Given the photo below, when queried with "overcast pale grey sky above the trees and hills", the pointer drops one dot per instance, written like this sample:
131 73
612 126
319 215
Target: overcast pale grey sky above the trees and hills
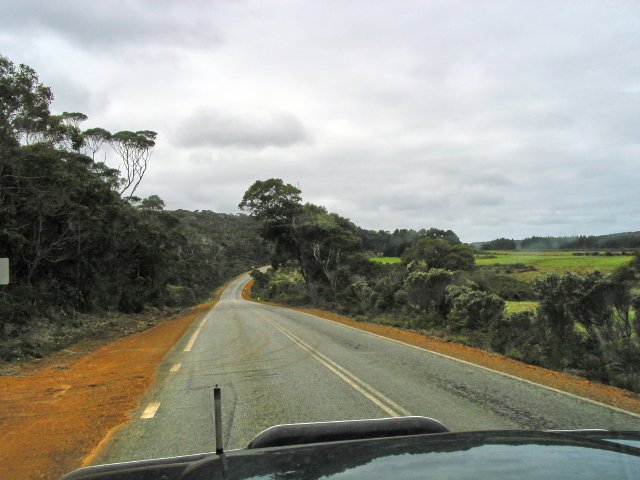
487 117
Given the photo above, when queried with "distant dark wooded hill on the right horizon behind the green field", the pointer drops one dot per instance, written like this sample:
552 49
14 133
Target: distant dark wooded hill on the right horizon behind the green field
582 242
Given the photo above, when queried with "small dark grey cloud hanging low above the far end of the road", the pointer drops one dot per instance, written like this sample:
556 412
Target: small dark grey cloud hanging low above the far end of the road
211 128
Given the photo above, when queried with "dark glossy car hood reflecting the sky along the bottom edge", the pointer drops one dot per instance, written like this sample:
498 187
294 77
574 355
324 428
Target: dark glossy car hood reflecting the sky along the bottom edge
473 455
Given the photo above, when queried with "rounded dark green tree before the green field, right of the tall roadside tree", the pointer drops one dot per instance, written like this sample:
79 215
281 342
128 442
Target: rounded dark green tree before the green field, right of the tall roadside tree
439 253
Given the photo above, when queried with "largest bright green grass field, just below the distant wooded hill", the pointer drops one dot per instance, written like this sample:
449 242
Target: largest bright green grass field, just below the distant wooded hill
551 261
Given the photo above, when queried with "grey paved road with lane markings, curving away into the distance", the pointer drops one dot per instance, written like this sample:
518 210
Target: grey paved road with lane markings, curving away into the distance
280 366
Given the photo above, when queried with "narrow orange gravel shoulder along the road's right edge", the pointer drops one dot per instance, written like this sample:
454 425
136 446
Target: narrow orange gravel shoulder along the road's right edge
613 396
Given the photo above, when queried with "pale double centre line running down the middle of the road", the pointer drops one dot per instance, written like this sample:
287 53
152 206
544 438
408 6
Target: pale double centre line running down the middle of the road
381 400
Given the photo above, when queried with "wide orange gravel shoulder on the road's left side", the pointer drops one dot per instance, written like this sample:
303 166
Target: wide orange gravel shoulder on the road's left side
54 417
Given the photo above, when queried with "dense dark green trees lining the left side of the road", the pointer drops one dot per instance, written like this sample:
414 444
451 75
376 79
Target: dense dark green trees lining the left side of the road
74 244
